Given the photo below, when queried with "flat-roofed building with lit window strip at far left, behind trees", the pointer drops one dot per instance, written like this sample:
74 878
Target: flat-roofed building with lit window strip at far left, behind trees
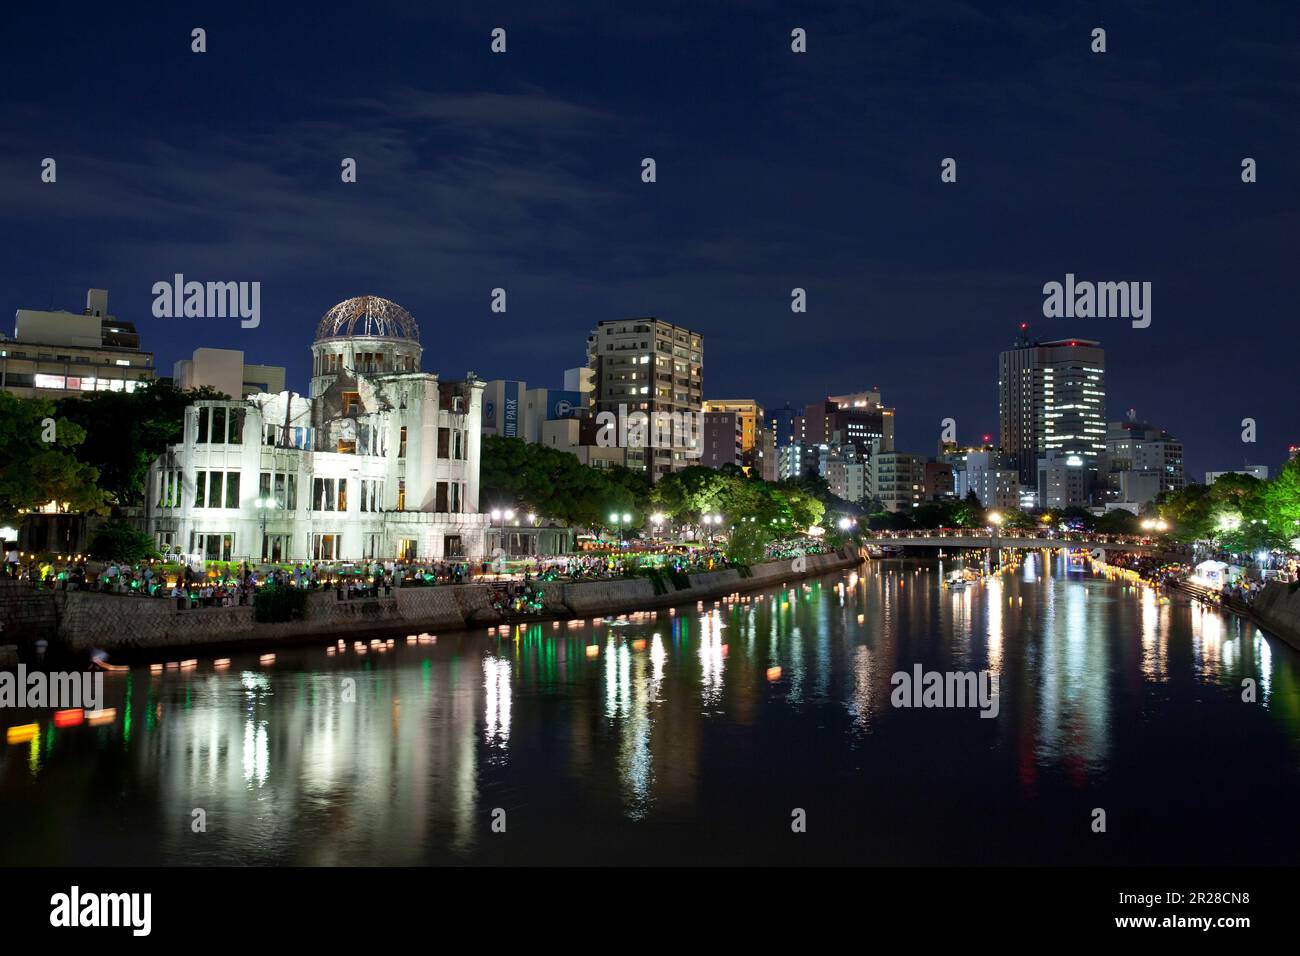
57 354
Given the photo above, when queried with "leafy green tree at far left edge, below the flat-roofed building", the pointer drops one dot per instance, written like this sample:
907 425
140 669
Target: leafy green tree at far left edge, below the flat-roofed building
36 471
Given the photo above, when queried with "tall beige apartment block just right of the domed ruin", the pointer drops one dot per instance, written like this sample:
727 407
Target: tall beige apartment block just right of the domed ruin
657 369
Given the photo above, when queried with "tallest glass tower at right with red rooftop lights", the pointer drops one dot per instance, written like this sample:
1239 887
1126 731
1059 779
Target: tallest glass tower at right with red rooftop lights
1052 397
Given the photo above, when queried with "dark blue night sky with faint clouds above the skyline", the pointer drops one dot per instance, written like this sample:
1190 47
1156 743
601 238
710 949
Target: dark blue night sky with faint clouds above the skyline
774 171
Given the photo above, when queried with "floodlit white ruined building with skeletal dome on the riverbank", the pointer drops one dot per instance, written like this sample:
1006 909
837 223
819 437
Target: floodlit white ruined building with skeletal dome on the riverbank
380 462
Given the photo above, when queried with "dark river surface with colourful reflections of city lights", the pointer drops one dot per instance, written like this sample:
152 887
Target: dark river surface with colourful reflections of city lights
665 721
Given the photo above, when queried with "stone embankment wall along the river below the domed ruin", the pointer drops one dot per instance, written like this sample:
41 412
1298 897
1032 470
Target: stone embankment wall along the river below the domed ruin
80 621
